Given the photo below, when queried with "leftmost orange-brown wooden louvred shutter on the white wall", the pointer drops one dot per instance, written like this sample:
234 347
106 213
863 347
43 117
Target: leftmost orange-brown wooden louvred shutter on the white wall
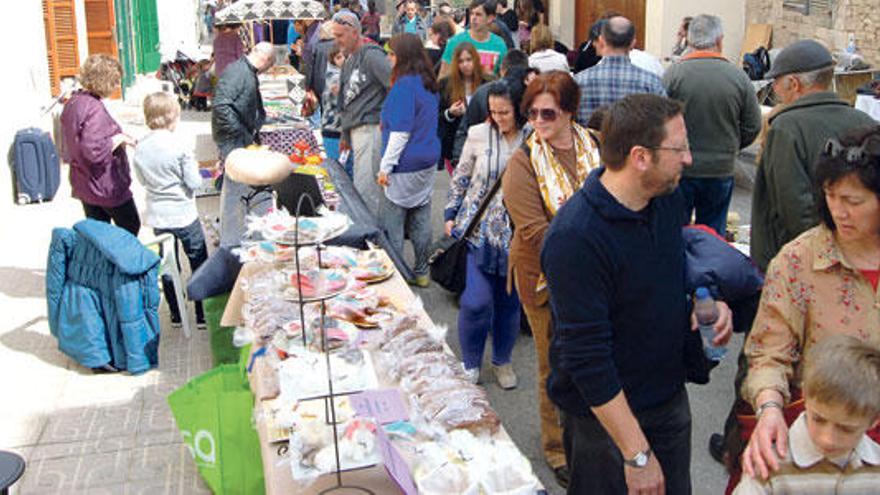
59 22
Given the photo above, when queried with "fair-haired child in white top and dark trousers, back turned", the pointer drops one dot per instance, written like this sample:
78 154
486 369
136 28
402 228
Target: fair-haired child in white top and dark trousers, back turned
170 174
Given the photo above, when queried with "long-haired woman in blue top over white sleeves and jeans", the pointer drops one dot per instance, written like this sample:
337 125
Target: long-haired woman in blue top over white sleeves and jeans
411 150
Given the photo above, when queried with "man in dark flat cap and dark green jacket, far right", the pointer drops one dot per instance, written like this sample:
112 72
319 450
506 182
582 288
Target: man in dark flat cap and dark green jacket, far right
783 201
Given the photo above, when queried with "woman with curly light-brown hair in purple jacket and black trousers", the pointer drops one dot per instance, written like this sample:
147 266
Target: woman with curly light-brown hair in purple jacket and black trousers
94 147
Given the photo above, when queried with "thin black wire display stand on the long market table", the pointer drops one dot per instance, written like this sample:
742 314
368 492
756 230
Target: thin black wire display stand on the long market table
329 399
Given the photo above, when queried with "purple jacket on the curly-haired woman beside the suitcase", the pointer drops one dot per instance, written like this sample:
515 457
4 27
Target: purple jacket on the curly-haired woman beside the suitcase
99 175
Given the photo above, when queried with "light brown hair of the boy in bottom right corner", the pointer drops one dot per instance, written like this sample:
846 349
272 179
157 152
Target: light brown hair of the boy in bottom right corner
844 370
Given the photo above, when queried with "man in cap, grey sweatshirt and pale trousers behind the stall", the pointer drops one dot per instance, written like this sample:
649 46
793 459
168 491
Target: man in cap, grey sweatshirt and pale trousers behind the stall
365 80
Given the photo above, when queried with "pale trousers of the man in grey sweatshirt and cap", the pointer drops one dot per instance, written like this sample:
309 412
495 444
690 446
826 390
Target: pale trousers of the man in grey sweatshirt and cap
366 148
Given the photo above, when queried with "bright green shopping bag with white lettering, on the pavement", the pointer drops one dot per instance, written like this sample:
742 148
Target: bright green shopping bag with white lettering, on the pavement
213 412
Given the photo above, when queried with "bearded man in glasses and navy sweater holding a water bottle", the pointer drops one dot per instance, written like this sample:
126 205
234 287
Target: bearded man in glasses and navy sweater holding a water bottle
614 261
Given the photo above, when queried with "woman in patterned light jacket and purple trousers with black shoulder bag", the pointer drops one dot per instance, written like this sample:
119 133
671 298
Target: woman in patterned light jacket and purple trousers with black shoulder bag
486 304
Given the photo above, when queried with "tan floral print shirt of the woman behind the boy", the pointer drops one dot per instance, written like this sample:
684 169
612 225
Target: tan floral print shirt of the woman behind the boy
811 291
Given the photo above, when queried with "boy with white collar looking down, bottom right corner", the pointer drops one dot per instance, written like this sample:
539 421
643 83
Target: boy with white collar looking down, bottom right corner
828 450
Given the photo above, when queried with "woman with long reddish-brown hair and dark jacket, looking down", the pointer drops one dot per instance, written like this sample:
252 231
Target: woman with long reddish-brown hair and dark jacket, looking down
456 88
